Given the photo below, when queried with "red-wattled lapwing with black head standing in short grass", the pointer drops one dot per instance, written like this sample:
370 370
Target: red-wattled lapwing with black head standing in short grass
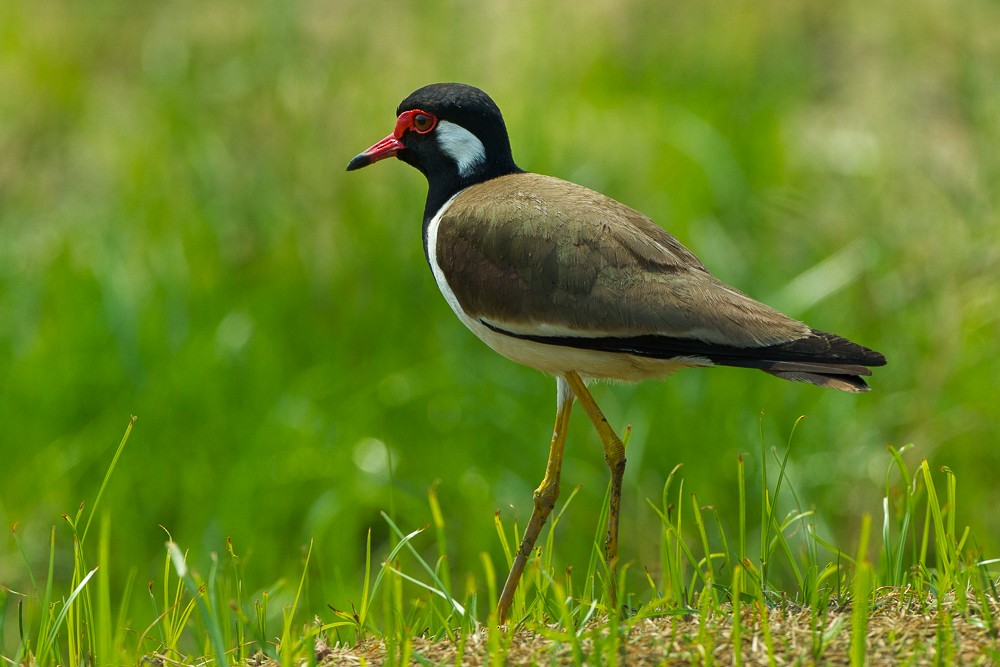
558 277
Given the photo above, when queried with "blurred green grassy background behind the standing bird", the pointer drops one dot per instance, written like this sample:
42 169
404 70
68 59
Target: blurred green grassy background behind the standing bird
179 241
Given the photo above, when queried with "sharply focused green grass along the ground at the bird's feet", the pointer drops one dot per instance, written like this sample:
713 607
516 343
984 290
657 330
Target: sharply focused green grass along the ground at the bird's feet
407 598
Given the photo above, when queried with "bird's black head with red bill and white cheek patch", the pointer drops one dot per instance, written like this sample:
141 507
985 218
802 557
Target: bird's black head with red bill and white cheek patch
453 133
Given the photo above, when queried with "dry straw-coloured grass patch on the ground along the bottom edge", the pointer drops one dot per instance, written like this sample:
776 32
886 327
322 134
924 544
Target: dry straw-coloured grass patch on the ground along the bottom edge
901 630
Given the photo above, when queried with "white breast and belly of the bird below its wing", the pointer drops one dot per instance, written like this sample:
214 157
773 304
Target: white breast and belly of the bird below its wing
552 359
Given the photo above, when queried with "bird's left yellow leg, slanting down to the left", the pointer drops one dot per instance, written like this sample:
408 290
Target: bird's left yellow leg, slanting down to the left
545 498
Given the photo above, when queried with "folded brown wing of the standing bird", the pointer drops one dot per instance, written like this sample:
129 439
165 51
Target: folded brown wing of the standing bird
539 256
